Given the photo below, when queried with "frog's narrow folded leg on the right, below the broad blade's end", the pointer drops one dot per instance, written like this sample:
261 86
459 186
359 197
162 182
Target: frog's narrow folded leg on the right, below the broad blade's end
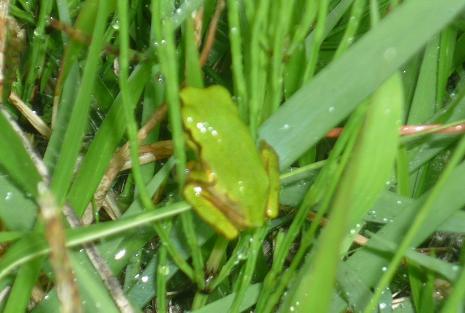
271 163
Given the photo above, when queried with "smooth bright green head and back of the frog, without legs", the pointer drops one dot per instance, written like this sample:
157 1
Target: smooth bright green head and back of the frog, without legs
232 153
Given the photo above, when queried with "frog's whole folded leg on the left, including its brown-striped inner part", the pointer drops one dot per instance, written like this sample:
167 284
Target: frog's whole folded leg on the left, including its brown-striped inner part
197 192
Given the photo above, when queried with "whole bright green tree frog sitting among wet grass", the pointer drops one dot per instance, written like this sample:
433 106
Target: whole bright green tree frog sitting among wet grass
232 185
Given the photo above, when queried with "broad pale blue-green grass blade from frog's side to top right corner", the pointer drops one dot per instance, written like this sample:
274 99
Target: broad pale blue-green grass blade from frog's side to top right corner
318 105
